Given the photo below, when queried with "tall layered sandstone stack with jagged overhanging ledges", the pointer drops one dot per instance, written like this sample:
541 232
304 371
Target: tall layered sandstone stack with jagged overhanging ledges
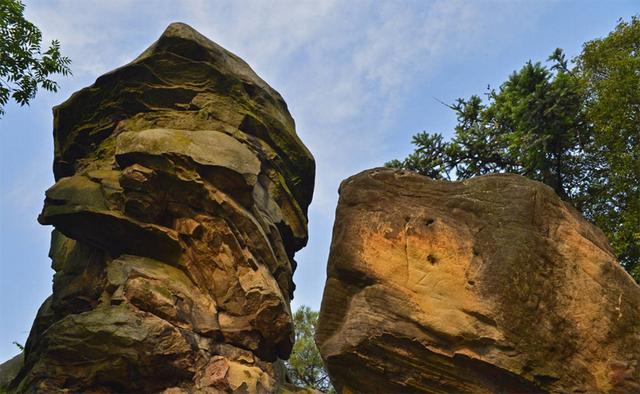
180 200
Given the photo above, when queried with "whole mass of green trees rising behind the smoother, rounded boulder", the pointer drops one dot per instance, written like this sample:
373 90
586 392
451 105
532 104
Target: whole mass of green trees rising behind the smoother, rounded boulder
575 129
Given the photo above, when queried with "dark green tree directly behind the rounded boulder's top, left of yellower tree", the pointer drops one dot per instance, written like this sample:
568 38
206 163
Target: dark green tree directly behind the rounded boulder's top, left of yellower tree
533 125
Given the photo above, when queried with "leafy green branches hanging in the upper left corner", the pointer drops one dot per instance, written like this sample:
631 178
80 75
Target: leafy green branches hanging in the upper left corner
23 65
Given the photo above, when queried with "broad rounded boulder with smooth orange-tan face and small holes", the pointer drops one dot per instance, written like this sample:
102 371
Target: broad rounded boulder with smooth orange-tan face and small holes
488 285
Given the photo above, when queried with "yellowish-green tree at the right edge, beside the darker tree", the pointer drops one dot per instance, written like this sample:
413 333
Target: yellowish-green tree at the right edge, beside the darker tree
610 69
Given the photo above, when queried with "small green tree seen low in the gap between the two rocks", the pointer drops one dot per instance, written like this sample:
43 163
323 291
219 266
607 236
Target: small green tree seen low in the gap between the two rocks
305 366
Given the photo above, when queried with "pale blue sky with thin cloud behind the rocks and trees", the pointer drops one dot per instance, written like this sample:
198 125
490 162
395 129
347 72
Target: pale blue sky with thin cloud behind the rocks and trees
360 77
